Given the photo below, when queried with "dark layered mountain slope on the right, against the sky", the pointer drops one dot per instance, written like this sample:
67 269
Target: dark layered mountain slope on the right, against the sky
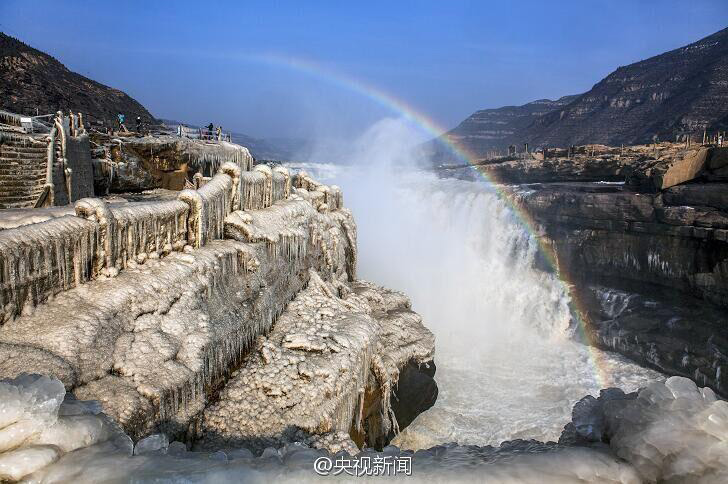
679 92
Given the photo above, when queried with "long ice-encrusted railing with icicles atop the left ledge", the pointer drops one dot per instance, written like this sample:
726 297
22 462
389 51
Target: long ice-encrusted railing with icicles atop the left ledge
40 260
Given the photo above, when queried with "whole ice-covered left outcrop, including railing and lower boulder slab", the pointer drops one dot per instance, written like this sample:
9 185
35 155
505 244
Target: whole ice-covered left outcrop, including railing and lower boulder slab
158 309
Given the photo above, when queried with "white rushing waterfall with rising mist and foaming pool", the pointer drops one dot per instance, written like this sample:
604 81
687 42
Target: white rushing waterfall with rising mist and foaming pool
506 366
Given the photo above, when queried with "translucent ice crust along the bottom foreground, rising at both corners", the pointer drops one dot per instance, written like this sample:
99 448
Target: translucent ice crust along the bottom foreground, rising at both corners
671 432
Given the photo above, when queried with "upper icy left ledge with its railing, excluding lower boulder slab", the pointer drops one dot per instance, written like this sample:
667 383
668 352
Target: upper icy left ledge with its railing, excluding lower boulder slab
155 340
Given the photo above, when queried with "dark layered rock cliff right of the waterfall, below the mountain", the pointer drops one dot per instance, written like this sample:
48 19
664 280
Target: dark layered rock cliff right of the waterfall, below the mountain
646 259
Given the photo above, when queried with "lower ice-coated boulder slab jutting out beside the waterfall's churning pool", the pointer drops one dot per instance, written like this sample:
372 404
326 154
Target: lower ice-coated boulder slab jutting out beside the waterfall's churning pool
310 374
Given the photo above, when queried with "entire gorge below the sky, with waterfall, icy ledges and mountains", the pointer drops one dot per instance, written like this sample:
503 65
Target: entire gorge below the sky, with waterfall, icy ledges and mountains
173 308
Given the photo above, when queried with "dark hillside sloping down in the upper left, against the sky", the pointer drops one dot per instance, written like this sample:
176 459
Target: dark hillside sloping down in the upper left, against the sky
31 79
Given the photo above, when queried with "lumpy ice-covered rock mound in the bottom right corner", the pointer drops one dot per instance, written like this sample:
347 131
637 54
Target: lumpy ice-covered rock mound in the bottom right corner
669 432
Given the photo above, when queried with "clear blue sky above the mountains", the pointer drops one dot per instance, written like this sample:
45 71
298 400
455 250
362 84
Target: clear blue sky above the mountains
200 61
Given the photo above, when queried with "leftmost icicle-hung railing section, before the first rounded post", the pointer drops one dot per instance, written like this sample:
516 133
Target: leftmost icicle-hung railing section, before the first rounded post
43 259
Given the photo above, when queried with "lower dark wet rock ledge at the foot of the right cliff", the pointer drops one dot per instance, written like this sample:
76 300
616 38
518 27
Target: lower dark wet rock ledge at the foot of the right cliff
663 329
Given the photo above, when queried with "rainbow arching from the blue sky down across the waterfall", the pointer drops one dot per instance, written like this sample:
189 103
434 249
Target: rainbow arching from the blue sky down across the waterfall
411 115
